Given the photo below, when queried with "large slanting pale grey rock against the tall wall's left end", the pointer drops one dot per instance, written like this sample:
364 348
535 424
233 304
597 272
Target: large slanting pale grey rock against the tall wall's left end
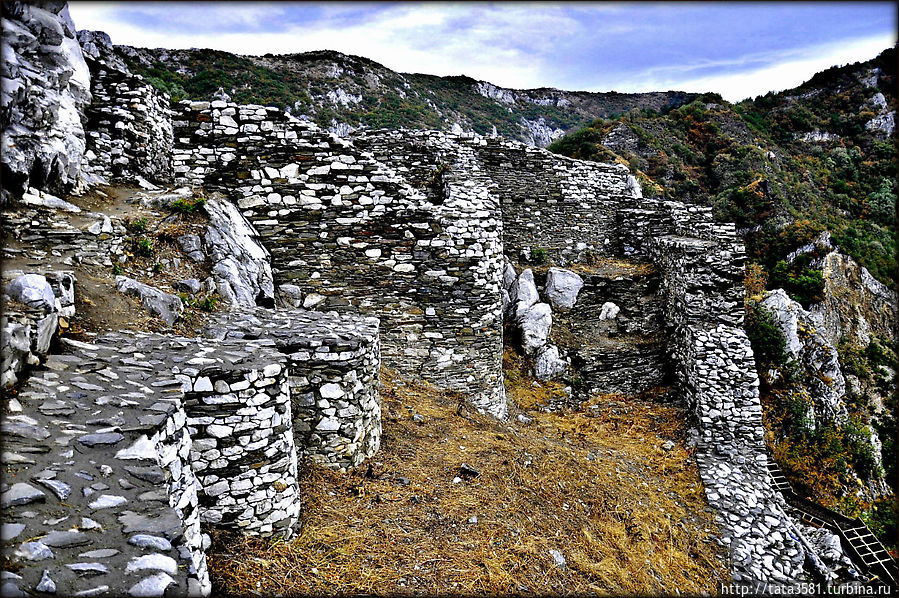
241 265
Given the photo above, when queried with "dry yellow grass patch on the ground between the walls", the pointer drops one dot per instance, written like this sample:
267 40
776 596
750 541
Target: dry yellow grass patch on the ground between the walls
593 484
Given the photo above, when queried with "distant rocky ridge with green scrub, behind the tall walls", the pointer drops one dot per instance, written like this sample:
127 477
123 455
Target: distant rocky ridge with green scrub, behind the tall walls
343 92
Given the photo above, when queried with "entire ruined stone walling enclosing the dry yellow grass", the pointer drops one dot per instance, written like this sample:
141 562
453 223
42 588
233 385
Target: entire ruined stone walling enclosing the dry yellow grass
415 228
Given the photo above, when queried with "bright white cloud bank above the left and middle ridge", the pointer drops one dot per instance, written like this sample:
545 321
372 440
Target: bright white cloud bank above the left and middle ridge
408 39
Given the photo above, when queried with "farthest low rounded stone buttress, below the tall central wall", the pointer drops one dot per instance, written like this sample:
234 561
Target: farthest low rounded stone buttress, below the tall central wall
334 363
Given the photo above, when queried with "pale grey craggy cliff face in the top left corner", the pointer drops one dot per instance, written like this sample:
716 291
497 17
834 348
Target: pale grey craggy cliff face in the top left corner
45 89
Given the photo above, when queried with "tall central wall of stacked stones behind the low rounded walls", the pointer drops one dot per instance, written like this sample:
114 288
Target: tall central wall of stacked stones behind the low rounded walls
351 234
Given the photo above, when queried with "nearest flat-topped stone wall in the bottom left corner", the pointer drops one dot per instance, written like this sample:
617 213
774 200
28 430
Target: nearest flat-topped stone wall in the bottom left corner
99 495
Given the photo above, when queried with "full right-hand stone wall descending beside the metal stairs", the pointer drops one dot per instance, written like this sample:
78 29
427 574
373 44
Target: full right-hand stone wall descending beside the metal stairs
701 264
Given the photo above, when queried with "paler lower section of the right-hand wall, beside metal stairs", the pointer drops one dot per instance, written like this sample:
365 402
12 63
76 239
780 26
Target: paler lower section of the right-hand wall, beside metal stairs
721 387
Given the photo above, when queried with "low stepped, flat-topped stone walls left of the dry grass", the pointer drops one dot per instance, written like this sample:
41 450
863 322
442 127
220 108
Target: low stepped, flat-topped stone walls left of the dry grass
116 451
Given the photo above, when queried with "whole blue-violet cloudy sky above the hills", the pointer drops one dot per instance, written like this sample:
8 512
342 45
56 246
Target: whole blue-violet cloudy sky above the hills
738 49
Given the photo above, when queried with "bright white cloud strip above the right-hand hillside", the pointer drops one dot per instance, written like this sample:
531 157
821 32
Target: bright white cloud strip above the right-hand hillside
777 75
